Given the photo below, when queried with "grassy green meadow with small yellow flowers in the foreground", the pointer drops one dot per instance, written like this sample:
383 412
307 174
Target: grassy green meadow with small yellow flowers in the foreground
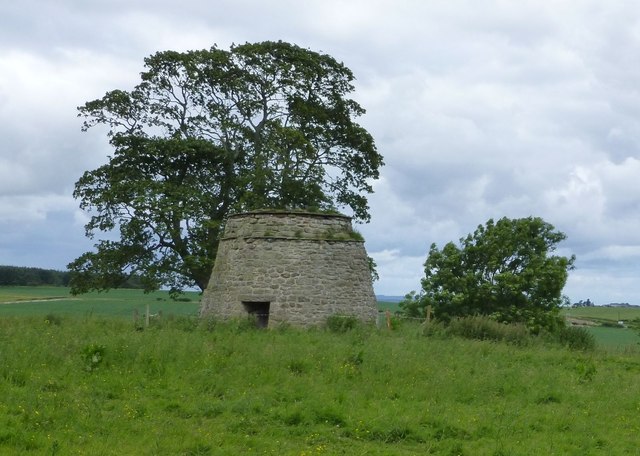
87 383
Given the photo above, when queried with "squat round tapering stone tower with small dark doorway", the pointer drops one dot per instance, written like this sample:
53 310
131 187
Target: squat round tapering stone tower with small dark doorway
294 267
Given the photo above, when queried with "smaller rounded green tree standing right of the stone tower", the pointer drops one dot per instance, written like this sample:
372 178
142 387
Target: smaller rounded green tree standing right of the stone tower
504 270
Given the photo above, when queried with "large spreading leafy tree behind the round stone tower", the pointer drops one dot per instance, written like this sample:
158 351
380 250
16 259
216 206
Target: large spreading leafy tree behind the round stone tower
208 133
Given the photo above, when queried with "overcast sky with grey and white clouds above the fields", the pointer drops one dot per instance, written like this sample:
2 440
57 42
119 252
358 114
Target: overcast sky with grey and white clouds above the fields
481 110
